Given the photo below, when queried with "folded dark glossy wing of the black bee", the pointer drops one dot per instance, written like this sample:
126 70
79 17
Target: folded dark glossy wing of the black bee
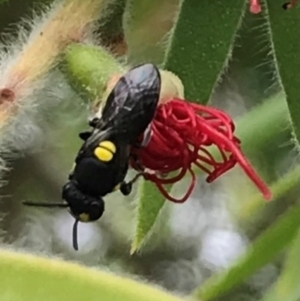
131 105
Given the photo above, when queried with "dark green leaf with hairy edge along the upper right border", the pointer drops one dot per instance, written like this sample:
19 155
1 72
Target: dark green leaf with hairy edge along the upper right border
285 32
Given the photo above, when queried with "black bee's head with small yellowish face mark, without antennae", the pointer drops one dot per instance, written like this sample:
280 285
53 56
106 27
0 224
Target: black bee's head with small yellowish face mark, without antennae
83 208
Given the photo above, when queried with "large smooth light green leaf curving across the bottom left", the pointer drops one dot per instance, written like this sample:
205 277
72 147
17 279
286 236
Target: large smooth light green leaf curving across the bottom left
27 277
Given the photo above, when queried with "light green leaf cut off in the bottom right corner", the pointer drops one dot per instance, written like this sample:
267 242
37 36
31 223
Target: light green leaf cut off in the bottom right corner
287 287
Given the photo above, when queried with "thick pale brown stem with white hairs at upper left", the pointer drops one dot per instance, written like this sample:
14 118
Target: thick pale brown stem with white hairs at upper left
25 68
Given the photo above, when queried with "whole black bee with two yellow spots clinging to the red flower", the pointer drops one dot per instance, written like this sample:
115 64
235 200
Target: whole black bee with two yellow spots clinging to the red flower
103 160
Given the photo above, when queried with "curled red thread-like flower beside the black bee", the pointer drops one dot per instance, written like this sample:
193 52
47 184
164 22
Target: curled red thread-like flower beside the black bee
179 137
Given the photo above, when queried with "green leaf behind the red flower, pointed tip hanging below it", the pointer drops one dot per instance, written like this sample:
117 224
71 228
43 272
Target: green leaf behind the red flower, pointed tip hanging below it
199 48
